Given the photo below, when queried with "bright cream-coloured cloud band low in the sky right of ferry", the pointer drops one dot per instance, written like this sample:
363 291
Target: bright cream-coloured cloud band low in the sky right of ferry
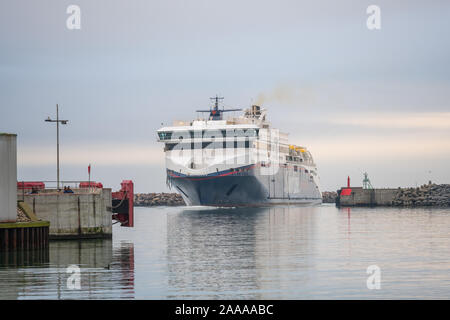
425 137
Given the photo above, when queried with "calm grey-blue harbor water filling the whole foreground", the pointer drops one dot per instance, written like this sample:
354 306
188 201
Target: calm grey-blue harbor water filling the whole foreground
319 252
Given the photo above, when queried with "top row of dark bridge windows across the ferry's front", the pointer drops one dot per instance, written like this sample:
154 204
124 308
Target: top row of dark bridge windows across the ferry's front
168 135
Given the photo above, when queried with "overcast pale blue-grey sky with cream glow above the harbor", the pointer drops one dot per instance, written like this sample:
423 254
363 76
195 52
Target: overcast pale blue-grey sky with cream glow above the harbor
360 100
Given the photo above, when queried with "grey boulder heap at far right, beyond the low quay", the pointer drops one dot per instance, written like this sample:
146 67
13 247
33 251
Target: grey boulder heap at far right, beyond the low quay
427 195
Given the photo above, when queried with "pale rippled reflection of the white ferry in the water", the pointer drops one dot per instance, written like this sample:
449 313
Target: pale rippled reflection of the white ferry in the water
220 252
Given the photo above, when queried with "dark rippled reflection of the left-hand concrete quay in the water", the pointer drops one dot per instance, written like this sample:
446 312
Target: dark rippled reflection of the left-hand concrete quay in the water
105 272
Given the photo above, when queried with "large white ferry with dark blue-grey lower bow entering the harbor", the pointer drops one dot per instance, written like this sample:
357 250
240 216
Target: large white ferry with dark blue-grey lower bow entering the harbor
239 161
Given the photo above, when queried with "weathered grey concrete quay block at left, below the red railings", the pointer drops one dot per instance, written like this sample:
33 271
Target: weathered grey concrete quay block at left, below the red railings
74 215
